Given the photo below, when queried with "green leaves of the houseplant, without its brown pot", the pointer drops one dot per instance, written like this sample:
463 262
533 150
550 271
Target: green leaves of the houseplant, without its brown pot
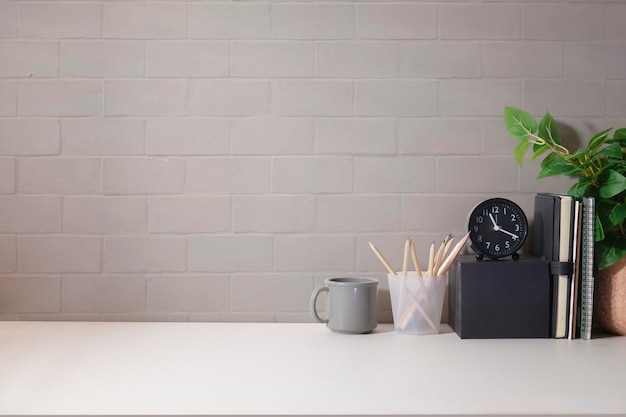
600 168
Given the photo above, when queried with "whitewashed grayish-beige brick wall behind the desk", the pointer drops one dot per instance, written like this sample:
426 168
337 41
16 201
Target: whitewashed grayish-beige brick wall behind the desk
174 160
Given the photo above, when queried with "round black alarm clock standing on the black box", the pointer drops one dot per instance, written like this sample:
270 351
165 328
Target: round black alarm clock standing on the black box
498 228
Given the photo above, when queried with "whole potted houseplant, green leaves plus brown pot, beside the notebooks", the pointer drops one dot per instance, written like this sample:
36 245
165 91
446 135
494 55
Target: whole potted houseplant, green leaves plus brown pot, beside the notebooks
600 169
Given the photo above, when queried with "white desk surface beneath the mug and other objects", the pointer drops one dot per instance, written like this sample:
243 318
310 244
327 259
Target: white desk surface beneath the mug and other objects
63 368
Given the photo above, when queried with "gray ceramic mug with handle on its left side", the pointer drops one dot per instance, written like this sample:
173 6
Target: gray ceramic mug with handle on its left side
351 306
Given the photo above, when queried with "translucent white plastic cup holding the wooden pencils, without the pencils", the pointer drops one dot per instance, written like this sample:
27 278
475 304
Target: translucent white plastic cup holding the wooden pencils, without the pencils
417 302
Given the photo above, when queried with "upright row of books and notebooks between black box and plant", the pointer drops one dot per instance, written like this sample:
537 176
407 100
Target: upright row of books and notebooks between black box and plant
564 235
